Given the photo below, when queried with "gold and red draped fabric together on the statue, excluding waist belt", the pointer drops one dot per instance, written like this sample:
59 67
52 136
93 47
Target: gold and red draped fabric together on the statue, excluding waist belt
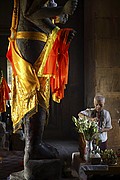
31 84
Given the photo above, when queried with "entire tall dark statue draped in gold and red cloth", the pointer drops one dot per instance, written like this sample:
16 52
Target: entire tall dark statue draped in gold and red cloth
36 51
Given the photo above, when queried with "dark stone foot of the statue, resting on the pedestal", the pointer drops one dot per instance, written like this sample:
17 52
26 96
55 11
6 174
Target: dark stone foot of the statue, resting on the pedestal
44 151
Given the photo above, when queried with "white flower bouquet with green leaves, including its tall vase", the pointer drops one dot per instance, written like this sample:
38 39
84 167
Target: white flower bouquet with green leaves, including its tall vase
88 131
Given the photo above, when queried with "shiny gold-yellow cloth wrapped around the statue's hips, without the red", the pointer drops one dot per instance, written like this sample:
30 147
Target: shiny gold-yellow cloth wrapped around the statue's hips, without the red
29 86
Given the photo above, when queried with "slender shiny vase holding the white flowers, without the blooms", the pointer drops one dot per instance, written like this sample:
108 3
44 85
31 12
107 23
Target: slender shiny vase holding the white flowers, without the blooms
89 148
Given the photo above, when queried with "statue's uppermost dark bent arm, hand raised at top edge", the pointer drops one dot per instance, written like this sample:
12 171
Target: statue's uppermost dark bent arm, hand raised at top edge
36 10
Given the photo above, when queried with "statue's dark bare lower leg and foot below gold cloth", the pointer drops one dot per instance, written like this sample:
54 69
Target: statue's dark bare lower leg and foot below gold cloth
35 148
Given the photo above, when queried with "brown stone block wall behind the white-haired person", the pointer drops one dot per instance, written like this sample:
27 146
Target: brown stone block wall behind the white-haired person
102 58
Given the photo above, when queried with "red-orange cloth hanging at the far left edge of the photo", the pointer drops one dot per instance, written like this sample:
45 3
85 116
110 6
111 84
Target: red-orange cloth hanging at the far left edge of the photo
4 94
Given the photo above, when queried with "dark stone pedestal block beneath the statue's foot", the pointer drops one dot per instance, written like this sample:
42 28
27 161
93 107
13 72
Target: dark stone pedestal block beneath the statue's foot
47 169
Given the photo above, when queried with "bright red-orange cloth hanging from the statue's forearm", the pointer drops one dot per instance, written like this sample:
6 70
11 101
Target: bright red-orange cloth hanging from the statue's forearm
57 64
